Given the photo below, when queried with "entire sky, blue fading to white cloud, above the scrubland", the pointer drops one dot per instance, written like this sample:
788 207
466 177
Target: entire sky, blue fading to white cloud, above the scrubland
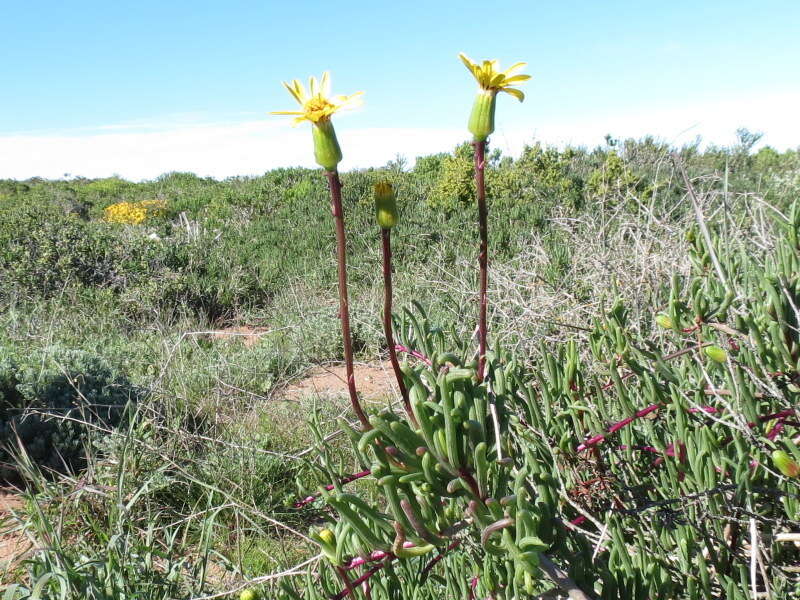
95 88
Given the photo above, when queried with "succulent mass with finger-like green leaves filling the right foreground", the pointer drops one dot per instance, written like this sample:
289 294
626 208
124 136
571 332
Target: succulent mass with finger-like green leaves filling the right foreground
657 466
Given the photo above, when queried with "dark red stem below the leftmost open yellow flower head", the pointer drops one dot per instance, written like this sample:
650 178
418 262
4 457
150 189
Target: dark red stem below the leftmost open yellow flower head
335 186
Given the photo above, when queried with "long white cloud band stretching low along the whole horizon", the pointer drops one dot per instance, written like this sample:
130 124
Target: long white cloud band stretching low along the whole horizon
144 151
